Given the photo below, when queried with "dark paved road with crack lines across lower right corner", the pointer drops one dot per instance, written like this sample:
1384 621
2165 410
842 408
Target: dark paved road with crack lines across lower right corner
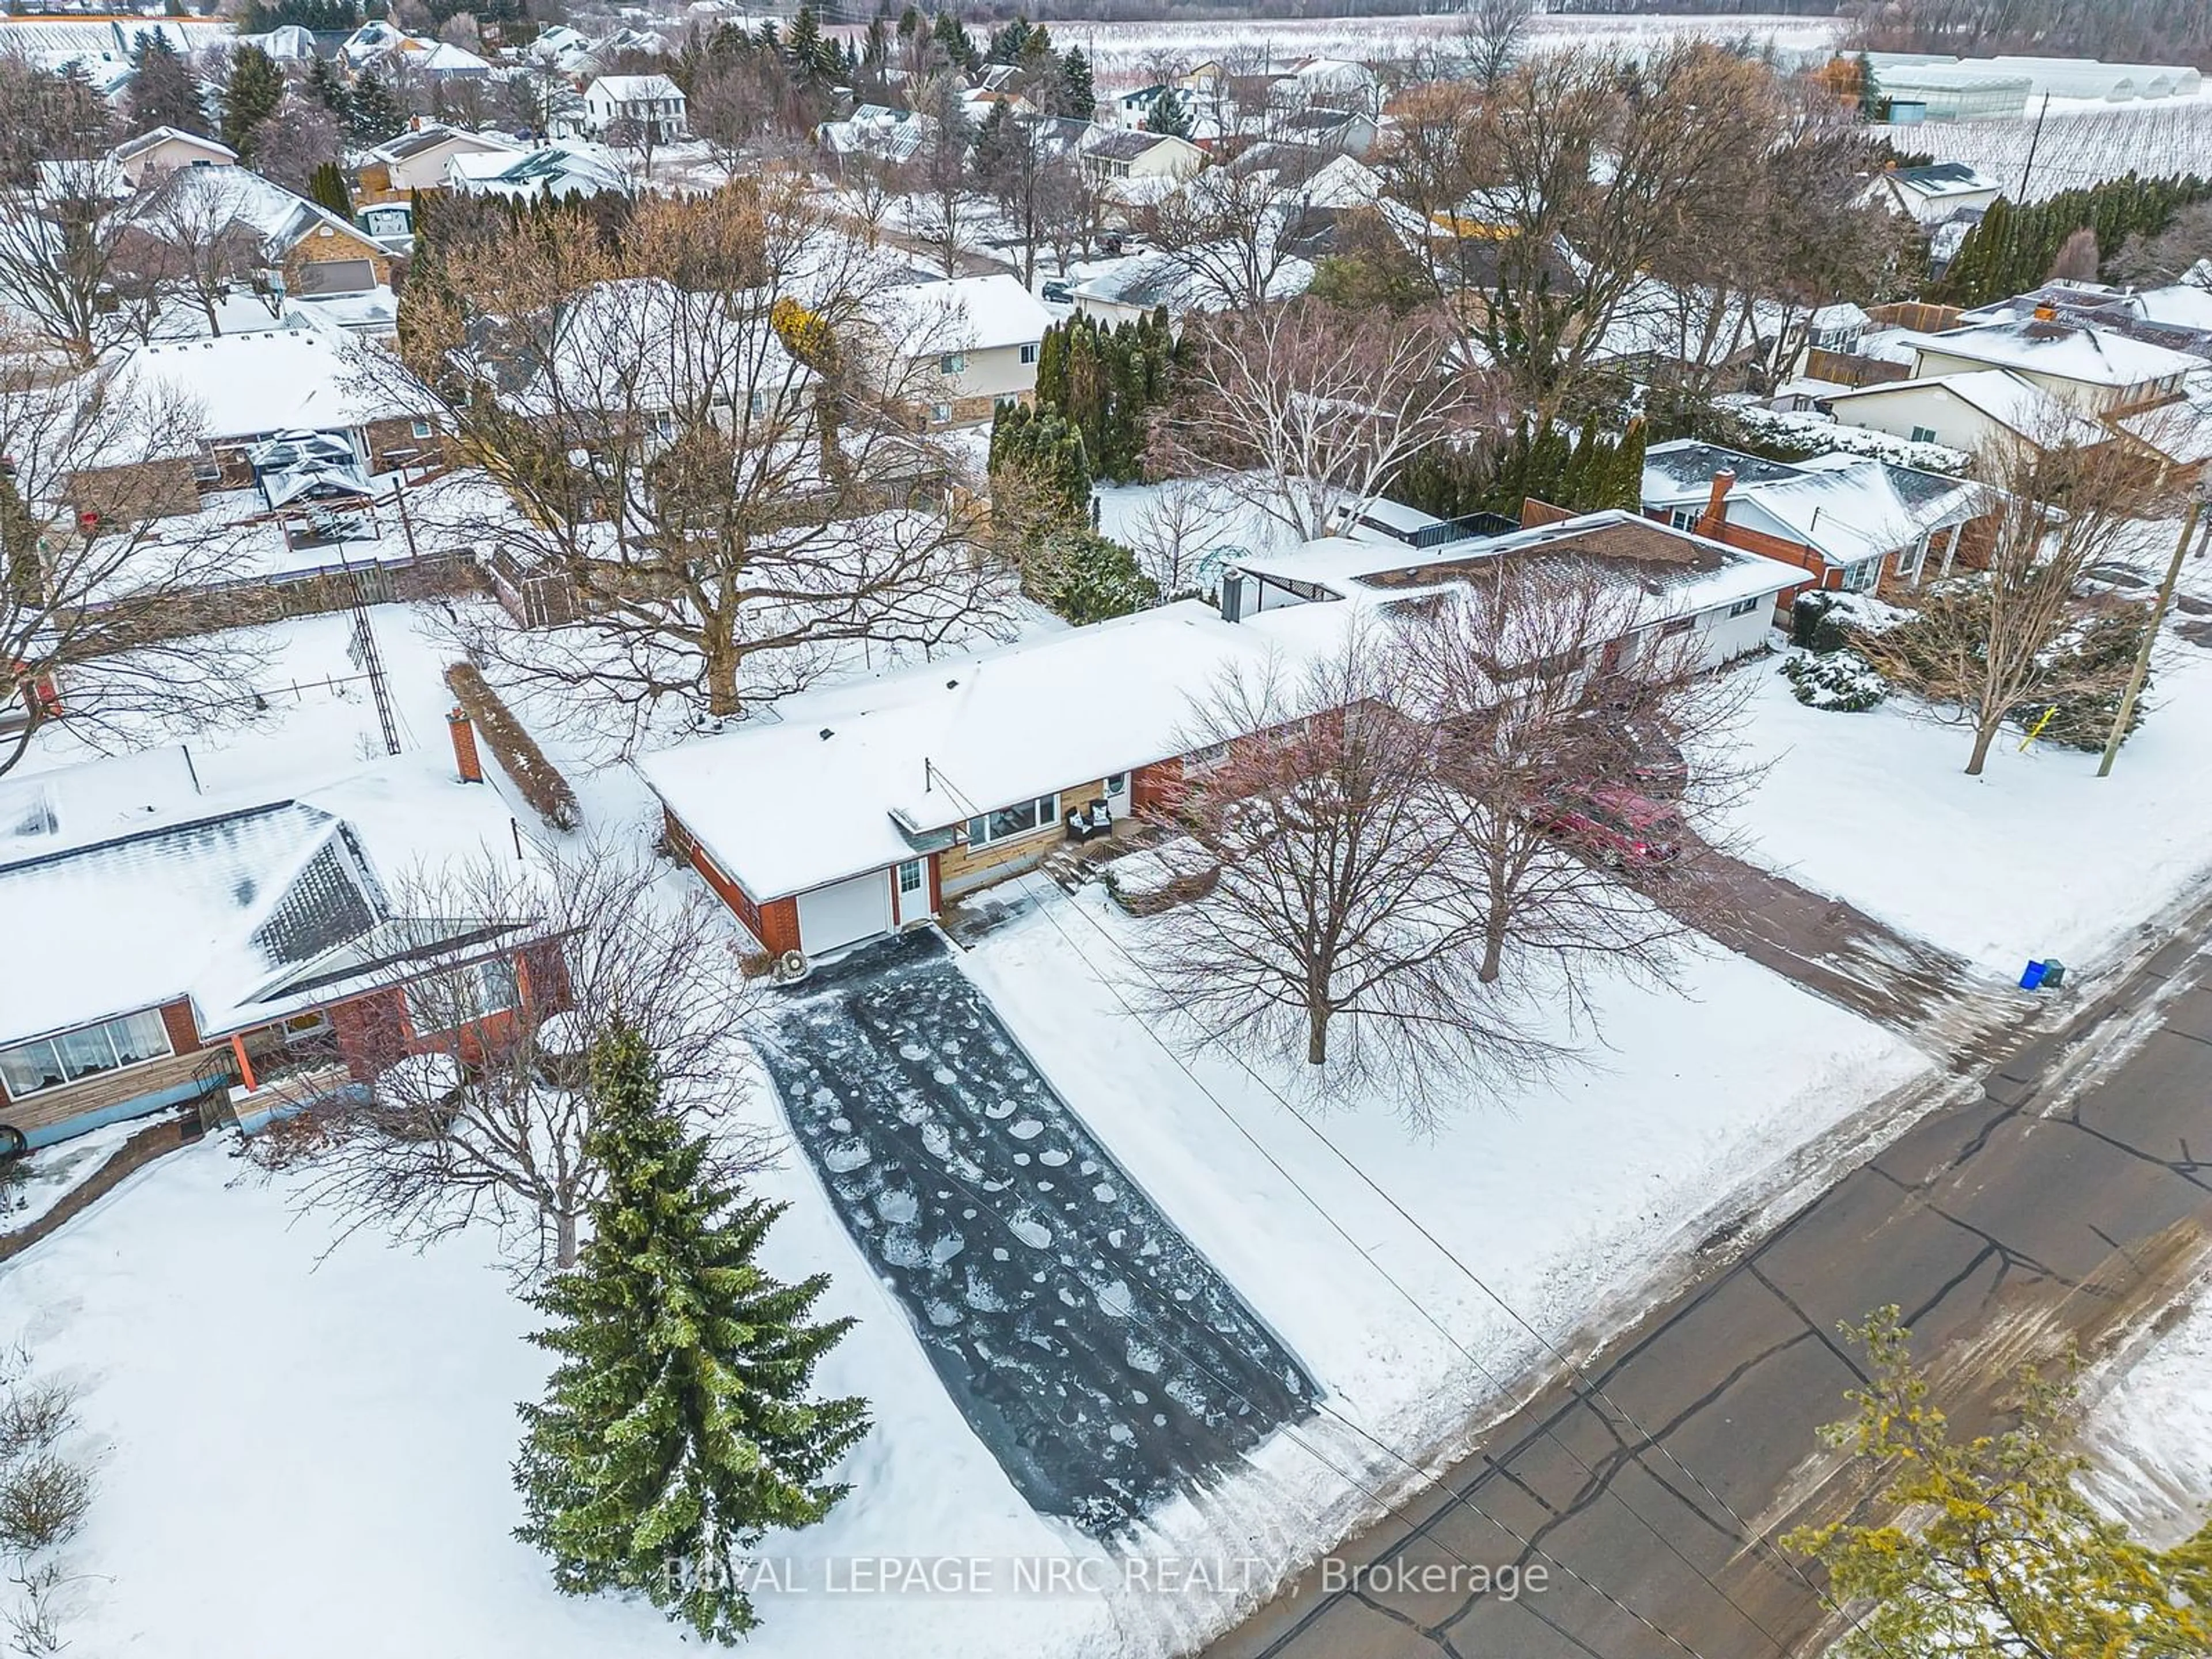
2041 1204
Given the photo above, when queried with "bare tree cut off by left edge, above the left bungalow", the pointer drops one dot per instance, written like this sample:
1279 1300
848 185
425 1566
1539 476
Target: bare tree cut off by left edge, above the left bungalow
96 567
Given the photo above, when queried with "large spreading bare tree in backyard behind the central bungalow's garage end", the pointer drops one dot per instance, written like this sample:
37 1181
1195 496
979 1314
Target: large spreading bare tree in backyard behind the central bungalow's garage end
709 432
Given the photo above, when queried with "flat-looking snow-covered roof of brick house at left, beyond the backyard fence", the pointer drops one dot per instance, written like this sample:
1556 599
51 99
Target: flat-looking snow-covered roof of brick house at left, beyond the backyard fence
247 386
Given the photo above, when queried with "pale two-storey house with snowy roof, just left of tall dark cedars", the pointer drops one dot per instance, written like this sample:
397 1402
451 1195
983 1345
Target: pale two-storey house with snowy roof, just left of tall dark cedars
979 340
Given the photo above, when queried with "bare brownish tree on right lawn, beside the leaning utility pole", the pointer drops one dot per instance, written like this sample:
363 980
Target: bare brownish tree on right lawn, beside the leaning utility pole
1992 645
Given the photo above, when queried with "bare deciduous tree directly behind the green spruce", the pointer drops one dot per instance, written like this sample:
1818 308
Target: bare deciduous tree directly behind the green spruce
492 1125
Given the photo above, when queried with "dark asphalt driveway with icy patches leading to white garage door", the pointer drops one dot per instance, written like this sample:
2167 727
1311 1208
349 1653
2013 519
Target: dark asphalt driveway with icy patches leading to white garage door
1098 1357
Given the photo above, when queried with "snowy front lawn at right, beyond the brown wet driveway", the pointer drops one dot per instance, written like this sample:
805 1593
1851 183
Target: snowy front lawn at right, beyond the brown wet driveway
2034 859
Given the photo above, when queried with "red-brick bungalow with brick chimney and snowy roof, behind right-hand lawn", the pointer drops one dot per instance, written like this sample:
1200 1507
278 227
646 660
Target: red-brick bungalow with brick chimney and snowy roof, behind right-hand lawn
1844 521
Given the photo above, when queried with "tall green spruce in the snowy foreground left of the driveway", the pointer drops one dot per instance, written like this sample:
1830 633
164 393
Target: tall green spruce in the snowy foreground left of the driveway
678 1426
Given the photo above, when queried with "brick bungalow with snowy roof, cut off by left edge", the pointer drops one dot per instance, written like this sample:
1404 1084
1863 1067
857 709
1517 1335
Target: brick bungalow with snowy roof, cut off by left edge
244 959
